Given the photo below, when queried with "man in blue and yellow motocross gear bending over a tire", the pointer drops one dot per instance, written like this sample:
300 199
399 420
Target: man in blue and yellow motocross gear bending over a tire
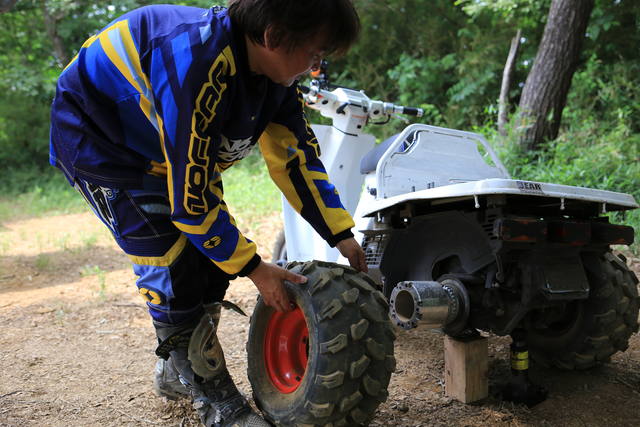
146 118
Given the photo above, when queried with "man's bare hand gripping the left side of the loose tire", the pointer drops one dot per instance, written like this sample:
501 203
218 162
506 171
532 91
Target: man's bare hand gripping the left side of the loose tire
269 279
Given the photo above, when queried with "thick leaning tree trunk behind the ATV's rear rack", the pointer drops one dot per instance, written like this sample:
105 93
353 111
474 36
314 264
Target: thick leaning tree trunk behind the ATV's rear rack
545 91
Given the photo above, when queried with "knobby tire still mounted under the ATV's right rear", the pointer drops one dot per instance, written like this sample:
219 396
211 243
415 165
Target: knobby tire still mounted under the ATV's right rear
592 330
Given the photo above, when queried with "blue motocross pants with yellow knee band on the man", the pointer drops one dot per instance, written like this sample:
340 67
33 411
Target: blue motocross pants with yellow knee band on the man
174 277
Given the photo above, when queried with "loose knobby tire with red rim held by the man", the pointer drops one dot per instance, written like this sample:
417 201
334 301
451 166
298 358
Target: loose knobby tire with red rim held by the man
329 361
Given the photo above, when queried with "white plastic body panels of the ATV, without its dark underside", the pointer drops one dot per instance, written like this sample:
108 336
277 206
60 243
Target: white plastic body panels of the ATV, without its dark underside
422 164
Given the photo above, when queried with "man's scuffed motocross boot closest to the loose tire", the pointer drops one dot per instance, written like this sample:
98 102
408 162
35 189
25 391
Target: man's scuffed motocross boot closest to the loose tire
197 357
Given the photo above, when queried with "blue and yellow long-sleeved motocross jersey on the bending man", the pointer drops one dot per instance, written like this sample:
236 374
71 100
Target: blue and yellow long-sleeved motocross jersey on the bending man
165 94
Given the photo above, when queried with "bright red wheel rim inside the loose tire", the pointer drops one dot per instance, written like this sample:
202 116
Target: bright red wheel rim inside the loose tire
286 349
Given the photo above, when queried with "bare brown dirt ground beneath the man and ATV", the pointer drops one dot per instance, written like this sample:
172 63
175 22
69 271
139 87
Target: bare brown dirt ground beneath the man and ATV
76 347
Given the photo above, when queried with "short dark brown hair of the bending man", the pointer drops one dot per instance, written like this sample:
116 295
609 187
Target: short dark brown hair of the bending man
294 22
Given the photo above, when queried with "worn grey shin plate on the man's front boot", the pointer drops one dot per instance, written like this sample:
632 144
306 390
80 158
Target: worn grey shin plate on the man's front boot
205 352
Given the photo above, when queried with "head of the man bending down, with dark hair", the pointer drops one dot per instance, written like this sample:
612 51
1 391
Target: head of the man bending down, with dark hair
290 37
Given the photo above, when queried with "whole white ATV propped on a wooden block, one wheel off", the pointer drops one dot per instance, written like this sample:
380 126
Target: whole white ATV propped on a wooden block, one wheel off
456 244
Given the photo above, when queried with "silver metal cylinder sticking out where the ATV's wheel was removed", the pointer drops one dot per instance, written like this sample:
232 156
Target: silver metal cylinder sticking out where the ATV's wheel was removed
434 305
